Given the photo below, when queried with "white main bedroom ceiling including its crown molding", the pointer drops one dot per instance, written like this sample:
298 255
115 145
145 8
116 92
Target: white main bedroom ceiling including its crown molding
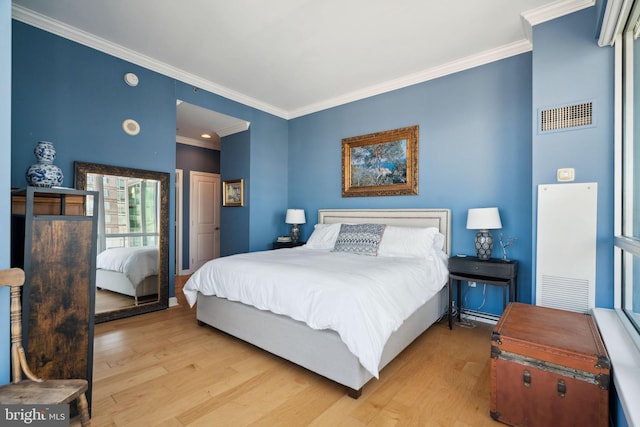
294 57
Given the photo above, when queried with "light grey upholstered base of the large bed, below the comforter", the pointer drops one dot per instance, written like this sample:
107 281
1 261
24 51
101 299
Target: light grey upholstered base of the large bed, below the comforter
321 351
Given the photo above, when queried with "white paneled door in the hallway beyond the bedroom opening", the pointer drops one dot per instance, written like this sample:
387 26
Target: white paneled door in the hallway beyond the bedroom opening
204 235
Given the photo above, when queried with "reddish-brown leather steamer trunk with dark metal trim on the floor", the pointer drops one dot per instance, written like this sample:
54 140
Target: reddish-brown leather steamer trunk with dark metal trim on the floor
548 367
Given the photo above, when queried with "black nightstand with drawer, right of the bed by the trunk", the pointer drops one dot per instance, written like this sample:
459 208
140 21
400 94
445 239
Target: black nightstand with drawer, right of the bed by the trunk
493 271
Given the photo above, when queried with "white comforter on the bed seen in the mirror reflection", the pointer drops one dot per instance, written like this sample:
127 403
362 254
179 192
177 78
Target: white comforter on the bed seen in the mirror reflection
135 263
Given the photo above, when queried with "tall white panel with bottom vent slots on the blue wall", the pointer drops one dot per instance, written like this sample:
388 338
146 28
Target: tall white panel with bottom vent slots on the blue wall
566 246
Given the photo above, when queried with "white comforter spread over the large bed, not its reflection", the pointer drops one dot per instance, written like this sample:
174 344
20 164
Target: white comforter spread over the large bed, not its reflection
363 298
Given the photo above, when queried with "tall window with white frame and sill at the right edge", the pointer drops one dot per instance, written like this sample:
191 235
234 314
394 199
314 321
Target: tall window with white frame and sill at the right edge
620 327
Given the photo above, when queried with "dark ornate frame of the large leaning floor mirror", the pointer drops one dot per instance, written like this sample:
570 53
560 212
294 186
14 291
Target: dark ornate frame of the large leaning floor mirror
81 169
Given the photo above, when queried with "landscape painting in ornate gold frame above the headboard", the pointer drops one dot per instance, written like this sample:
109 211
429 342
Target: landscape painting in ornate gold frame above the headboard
381 164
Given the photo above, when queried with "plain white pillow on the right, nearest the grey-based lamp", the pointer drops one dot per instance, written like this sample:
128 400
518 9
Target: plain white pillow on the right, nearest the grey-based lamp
410 241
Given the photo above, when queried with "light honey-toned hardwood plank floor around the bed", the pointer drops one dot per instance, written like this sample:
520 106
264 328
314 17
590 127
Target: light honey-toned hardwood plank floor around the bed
162 369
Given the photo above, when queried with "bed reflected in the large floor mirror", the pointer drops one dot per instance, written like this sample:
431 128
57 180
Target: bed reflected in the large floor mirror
128 271
